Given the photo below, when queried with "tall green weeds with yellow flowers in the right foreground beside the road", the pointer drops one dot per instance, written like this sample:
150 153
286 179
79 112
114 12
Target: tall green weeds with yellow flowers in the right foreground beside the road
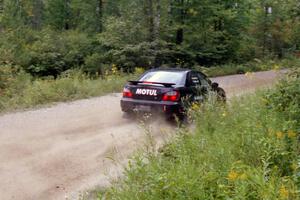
249 149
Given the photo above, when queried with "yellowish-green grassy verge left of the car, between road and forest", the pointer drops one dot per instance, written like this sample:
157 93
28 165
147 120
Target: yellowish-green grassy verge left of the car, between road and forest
20 90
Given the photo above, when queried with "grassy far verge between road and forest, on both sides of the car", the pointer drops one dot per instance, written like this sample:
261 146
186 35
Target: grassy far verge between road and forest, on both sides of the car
18 90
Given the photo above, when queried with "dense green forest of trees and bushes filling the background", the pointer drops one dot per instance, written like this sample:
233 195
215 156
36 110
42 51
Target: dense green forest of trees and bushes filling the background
49 37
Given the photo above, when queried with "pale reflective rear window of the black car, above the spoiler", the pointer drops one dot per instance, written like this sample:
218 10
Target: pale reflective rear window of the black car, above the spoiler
164 77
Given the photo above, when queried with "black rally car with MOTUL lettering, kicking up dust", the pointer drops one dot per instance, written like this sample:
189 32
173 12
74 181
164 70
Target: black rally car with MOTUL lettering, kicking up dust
163 91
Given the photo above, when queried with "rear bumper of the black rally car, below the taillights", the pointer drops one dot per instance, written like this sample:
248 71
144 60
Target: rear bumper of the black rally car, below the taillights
161 107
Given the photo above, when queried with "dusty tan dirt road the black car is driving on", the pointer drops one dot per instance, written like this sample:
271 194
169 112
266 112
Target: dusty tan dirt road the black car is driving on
53 152
